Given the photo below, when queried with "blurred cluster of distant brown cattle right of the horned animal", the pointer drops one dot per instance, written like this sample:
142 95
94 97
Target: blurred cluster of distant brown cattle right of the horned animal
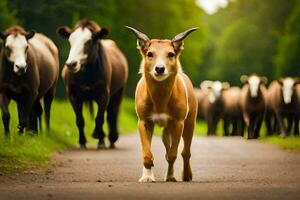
278 105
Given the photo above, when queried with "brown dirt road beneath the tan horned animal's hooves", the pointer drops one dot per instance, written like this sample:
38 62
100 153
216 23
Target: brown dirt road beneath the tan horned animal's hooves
223 168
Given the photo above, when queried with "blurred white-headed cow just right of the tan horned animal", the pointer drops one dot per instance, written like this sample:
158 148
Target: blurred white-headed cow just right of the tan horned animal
212 104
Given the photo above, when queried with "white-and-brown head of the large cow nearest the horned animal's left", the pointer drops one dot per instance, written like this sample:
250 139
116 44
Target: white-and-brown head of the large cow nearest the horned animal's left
83 39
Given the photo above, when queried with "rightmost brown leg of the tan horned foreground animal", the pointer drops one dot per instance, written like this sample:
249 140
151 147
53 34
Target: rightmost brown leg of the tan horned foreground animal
187 136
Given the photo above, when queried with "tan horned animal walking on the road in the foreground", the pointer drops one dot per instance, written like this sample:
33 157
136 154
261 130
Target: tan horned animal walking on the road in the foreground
164 96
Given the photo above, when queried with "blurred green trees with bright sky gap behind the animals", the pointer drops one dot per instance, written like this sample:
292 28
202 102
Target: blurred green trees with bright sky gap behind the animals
235 37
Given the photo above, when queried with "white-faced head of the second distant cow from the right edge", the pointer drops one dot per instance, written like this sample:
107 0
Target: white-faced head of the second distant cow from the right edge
254 81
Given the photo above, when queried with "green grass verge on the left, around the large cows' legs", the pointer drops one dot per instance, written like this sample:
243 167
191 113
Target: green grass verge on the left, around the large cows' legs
18 153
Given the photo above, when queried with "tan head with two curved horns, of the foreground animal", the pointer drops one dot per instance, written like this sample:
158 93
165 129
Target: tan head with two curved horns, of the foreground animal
160 57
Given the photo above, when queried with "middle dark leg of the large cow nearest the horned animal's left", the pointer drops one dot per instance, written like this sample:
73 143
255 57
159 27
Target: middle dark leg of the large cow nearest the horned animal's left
98 131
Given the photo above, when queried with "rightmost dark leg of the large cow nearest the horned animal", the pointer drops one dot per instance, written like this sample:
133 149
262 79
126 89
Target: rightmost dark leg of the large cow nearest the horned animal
112 117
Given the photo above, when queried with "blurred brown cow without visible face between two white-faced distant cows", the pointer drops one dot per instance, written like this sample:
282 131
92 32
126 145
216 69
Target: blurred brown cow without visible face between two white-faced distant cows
232 113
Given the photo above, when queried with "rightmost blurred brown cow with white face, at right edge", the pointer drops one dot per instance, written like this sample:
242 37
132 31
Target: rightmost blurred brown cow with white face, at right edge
284 103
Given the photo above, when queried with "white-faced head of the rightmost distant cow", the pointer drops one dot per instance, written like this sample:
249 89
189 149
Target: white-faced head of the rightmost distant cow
288 87
